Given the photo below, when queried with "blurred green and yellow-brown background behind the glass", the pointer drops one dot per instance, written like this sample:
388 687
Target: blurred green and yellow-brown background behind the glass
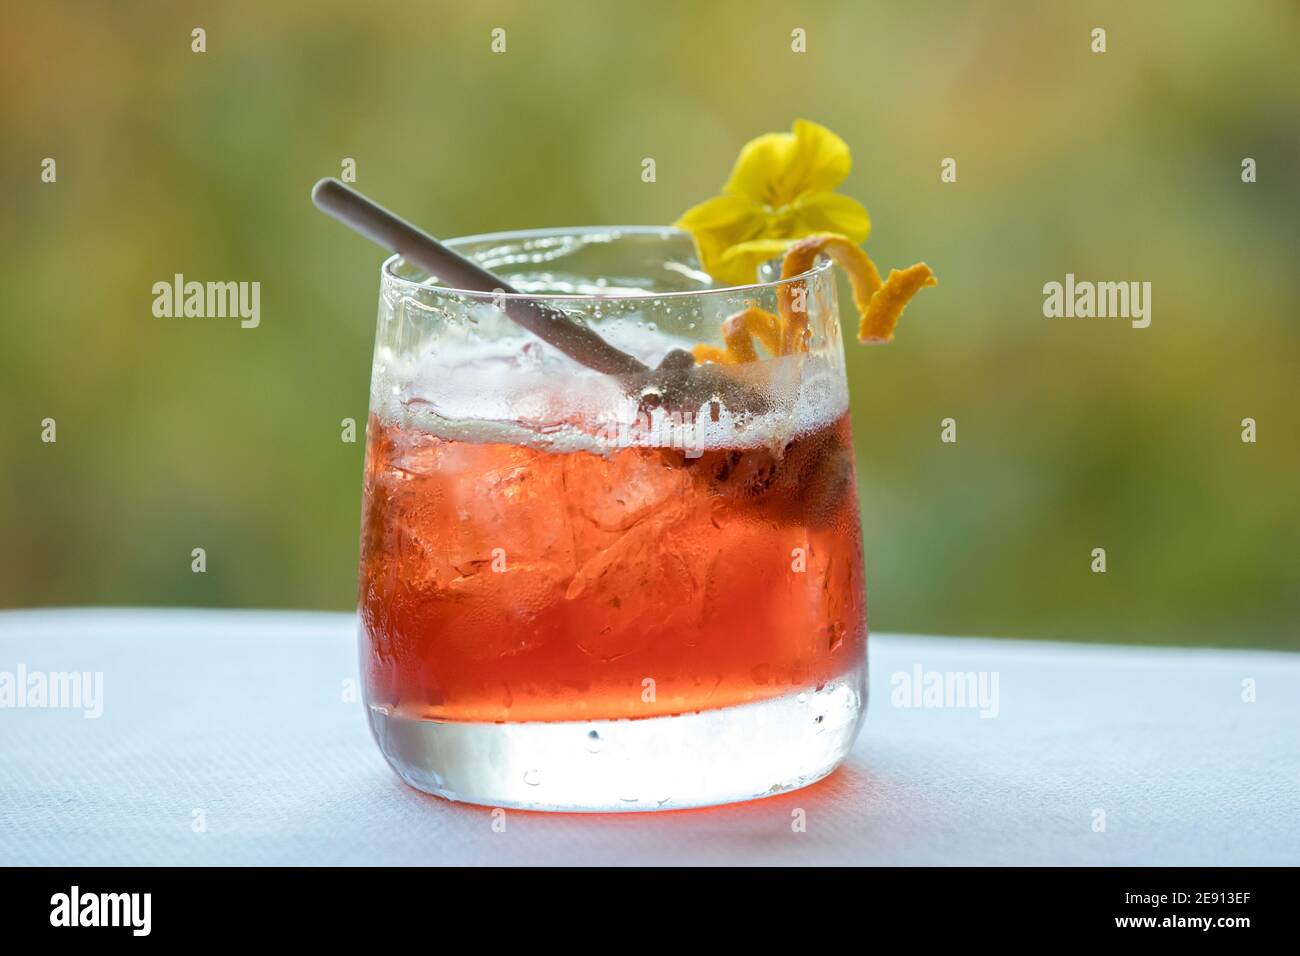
1072 434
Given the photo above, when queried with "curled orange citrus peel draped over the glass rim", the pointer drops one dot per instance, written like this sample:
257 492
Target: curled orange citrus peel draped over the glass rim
879 305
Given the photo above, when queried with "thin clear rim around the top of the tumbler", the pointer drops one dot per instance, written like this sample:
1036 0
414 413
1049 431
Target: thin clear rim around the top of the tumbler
387 271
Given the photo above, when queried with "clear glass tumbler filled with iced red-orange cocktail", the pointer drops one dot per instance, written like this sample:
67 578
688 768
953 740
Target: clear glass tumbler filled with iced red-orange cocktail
583 591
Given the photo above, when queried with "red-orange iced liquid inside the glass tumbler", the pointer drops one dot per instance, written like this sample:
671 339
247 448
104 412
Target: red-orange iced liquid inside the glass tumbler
508 583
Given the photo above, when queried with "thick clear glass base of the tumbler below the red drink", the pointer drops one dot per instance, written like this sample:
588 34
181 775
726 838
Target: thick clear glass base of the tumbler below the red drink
655 764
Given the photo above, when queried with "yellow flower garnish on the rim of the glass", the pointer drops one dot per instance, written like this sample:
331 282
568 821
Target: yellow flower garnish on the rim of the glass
782 189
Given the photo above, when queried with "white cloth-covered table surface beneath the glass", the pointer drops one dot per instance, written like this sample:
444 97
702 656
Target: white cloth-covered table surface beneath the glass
241 715
